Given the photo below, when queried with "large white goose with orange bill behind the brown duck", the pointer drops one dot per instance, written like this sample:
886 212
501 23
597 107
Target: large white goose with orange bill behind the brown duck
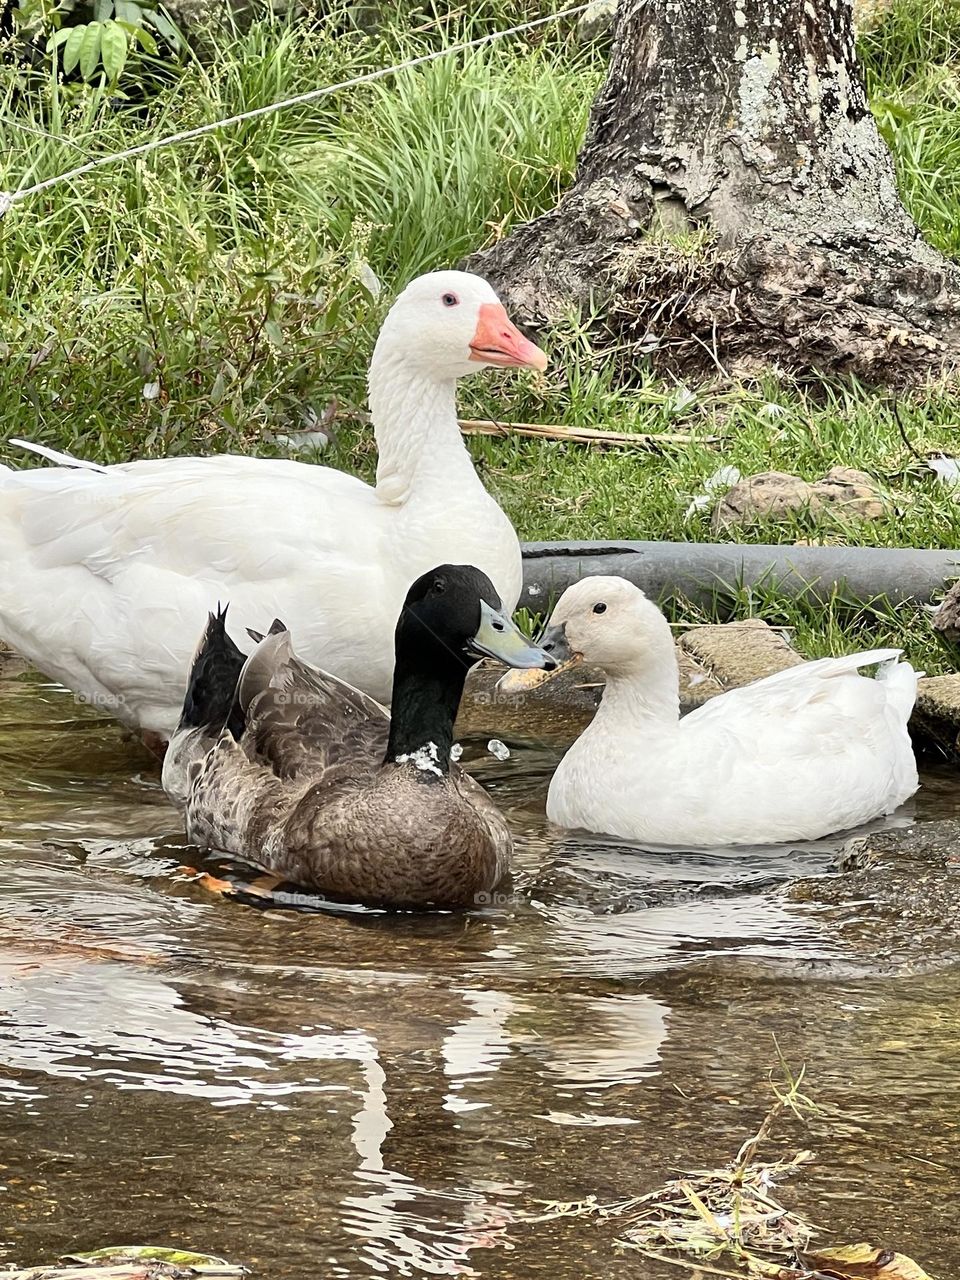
109 572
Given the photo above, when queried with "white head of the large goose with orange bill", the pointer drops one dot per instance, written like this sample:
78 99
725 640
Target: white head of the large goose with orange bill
449 324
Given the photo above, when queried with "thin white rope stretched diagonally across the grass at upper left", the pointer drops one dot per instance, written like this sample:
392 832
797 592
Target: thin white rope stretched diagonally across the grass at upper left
8 199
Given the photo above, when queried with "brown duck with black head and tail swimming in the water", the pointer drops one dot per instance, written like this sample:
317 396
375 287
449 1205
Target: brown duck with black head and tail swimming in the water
296 772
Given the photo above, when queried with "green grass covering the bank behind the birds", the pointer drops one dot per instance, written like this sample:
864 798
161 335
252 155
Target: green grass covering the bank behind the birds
231 272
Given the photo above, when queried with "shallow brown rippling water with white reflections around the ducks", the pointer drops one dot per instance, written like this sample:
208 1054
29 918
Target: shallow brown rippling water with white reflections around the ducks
355 1095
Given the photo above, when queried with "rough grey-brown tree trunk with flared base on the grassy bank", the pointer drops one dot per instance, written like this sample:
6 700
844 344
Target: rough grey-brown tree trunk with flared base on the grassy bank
735 205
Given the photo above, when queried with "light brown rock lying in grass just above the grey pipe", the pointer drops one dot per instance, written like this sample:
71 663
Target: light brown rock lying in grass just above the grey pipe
775 493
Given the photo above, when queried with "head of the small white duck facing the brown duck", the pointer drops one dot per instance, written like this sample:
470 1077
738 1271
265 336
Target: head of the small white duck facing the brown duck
607 623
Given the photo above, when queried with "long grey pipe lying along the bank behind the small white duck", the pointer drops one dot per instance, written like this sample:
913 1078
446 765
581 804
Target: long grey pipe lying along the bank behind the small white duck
710 574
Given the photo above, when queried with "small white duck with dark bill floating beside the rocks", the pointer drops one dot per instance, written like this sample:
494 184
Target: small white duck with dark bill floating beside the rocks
808 752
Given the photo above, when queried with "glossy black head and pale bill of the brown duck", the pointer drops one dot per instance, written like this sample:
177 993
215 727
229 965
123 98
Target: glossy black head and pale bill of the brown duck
455 615
